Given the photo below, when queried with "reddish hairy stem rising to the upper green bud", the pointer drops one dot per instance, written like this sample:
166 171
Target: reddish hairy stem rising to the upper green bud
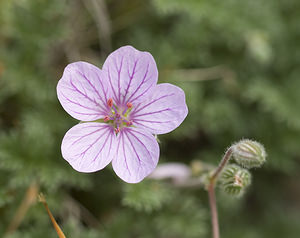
211 193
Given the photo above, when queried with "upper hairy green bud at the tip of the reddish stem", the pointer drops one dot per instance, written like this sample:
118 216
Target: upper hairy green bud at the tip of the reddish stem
249 154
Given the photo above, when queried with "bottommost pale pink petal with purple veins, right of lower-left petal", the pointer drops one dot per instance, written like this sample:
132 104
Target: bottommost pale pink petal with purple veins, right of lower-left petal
137 154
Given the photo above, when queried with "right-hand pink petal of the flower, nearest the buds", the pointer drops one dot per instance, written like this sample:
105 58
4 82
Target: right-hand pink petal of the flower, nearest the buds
163 111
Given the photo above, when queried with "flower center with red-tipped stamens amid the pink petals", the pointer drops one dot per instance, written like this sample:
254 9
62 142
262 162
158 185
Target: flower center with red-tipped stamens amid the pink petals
118 117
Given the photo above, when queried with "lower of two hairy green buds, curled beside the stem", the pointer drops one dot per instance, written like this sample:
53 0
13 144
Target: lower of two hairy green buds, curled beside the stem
235 179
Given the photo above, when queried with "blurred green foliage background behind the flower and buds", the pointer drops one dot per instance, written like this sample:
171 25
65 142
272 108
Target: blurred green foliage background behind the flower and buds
238 62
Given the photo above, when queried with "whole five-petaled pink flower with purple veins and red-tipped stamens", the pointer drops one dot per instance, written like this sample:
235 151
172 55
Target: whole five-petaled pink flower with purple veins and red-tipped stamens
120 108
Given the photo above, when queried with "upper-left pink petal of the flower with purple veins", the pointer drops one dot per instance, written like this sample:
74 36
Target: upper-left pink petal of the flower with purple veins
82 91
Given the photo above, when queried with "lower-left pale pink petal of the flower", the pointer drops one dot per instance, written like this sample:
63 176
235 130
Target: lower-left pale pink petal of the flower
89 147
